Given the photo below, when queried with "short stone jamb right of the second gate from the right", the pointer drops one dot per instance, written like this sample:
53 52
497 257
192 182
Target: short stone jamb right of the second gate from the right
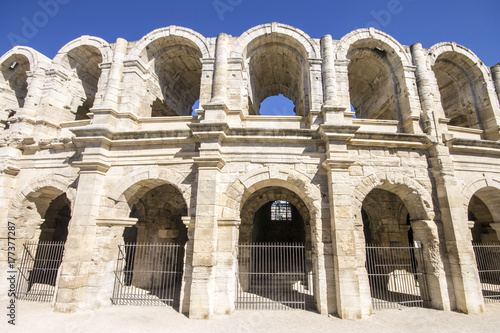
426 232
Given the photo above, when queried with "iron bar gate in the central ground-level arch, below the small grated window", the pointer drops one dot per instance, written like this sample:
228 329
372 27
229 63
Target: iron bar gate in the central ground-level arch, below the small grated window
272 276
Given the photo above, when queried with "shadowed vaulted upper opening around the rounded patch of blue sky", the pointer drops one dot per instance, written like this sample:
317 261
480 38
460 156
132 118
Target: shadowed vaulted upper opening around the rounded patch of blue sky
277 64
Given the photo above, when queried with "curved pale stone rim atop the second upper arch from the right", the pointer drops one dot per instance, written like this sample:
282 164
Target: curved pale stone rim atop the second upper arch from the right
377 36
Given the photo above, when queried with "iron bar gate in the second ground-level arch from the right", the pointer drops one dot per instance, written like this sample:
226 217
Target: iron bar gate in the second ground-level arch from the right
396 276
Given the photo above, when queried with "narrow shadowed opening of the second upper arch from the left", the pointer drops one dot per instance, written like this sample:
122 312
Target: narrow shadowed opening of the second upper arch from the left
84 62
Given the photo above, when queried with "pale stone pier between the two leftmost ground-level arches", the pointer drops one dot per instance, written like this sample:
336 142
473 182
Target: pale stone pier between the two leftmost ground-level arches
77 264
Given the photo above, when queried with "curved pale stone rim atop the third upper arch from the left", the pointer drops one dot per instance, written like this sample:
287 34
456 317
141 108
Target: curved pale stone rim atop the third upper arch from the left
171 31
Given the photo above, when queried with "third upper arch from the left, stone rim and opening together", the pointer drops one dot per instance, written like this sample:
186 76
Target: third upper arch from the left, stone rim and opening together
174 58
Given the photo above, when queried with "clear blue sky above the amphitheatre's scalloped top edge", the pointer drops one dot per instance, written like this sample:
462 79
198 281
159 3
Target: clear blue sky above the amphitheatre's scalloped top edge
47 25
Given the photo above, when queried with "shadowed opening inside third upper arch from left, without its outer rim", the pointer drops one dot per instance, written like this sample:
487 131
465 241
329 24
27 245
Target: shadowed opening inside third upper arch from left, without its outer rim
176 86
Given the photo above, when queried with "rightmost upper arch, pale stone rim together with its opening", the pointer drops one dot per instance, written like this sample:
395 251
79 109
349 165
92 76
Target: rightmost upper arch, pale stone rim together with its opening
461 75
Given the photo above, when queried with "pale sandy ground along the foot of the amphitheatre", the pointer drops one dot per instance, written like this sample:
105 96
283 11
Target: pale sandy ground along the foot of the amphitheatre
40 317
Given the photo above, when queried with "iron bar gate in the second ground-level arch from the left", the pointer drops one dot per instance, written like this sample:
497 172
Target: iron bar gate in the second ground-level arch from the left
148 274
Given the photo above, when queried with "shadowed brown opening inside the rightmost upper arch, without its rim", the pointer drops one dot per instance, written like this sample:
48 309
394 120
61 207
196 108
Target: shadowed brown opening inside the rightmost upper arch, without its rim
464 94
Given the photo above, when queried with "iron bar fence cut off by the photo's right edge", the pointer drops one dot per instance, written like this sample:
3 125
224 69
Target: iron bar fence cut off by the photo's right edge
488 266
